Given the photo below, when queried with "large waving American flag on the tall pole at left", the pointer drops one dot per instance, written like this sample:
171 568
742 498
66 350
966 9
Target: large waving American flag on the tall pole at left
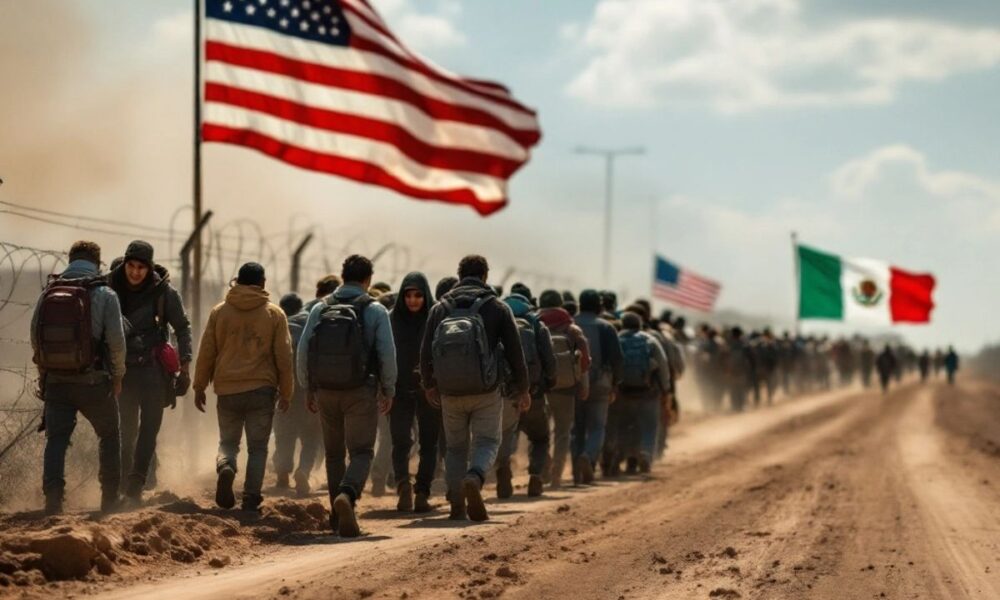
324 85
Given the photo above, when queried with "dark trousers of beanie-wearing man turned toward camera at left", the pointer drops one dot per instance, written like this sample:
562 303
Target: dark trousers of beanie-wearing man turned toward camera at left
144 394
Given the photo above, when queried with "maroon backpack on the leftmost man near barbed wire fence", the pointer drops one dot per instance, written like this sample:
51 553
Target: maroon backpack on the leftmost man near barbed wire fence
63 328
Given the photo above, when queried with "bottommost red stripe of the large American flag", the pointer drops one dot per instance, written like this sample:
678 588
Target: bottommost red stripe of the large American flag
358 170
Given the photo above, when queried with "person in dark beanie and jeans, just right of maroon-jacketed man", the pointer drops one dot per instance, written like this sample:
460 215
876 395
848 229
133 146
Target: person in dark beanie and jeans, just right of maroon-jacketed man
591 415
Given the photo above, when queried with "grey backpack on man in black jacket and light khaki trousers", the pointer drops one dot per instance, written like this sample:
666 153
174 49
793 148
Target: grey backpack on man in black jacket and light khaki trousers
464 363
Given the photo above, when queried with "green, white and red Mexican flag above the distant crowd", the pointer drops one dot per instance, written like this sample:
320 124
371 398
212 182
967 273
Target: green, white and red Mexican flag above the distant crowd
861 290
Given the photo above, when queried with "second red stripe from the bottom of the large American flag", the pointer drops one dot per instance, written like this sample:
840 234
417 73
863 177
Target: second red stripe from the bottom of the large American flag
345 122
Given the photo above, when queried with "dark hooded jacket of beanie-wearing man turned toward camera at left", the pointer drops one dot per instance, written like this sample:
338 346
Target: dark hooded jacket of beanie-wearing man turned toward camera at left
140 307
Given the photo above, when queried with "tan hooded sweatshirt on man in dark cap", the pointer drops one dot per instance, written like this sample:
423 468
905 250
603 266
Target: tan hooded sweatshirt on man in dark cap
245 346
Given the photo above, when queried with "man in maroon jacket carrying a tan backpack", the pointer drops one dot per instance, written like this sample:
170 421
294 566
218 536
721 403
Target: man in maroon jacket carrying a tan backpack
569 344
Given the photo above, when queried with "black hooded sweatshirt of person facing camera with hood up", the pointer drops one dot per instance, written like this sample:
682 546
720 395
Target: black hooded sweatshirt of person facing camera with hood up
408 333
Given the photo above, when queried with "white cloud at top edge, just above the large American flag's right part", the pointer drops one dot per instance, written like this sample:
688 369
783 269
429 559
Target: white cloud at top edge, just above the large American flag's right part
424 31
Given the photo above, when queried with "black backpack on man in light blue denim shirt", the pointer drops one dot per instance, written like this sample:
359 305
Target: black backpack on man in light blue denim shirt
339 357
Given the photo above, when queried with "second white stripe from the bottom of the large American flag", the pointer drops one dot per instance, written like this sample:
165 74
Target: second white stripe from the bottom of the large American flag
443 134
